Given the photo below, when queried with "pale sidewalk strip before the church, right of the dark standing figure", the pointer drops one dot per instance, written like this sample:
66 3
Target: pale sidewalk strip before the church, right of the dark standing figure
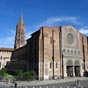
45 82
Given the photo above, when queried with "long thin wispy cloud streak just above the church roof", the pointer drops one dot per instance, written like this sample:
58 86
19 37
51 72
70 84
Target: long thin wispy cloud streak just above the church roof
54 20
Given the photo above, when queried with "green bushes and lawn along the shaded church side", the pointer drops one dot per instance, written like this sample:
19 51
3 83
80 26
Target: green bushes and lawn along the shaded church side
19 75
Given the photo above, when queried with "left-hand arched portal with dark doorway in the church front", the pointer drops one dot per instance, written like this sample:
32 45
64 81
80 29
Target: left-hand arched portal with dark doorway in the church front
69 67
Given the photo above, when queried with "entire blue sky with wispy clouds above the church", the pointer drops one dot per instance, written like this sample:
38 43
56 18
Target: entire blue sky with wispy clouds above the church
37 13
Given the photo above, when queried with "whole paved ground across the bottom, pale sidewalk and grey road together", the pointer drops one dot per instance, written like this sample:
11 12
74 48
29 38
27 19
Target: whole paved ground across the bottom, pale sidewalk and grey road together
48 83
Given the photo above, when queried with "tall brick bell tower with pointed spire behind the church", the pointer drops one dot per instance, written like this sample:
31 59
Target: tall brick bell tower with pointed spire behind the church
20 34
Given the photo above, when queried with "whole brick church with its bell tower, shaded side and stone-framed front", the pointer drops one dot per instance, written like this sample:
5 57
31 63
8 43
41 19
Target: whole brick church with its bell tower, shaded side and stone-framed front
53 52
